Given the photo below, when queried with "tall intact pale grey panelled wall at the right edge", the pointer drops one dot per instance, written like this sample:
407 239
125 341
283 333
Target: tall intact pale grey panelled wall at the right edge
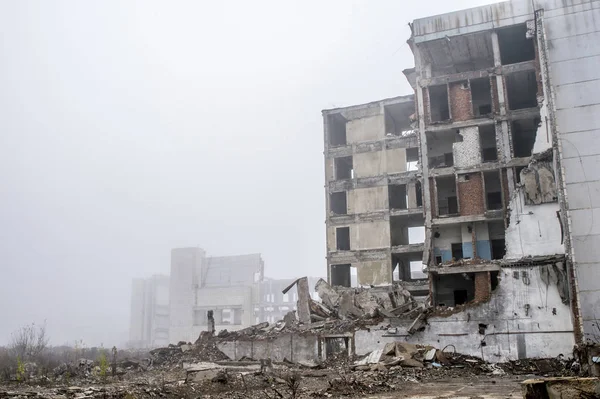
573 43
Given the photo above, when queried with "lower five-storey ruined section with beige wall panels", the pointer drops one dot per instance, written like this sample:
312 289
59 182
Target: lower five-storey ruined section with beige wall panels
374 201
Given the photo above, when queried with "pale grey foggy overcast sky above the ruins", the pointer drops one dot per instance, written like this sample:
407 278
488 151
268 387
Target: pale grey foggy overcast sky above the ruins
128 128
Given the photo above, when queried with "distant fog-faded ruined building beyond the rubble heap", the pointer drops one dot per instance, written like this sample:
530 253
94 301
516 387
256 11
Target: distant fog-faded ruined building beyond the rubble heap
171 309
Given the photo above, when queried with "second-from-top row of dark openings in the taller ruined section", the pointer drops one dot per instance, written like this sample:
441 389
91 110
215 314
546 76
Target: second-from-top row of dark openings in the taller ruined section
521 92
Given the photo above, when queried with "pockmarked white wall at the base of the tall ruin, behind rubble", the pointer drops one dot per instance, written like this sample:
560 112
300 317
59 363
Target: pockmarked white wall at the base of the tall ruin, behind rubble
513 330
